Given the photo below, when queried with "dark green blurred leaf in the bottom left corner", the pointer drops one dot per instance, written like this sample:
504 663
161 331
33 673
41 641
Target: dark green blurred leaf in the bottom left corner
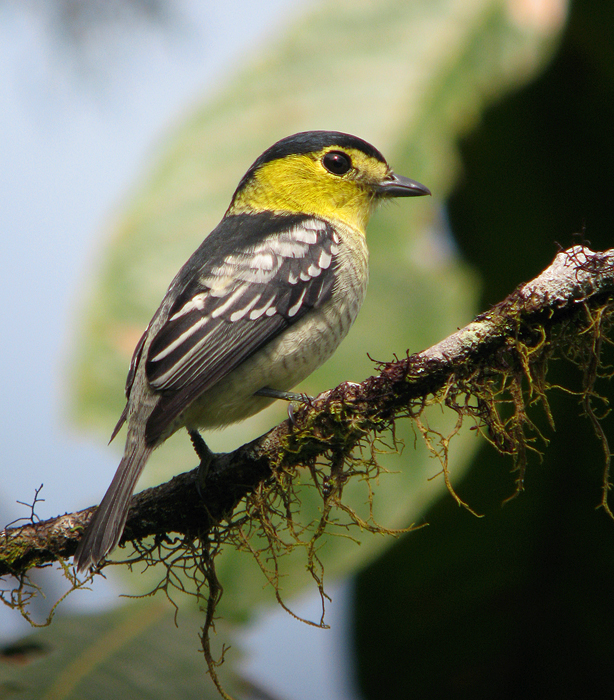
136 651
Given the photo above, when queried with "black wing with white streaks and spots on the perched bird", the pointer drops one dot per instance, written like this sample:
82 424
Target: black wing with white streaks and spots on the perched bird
230 305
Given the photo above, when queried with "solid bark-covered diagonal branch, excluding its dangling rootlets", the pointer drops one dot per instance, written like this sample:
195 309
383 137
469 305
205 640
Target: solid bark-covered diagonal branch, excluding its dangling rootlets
577 280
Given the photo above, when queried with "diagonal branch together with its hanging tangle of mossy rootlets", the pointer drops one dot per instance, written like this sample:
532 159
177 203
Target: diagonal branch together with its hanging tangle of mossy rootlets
492 373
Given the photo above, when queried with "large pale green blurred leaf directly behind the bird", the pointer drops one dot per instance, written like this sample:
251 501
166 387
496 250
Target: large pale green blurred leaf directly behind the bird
408 77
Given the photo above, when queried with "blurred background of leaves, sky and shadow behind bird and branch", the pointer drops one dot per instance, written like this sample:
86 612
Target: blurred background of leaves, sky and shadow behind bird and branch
124 129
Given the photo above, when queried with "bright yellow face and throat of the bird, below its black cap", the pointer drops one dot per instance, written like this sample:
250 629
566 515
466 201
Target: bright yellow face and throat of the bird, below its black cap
316 184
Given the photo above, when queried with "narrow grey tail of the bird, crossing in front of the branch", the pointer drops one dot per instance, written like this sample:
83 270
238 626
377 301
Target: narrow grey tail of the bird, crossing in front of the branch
106 527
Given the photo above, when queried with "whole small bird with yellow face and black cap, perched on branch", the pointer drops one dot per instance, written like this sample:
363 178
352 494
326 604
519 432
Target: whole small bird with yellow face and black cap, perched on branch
265 300
